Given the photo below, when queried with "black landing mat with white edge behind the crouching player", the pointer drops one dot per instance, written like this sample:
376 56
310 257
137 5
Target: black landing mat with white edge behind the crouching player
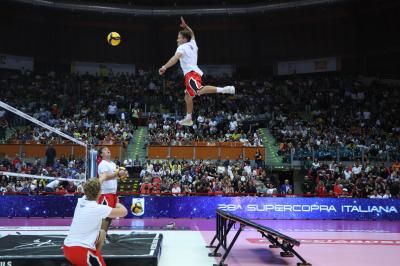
45 250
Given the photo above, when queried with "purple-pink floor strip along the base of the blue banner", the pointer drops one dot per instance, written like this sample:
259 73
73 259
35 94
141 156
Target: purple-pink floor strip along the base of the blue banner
209 224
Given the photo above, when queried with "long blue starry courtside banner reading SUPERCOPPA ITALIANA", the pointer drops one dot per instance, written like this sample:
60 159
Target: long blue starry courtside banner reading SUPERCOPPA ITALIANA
204 207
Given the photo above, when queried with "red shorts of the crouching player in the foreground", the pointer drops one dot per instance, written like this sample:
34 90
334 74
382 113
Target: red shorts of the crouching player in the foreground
80 256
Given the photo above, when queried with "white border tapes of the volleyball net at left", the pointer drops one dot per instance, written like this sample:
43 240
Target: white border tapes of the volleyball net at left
52 129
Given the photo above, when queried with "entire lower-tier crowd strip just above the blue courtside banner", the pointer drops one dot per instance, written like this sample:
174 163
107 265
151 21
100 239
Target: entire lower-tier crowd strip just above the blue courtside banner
212 177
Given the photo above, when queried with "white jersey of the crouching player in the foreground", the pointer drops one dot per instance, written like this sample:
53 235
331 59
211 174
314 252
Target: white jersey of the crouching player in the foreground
86 224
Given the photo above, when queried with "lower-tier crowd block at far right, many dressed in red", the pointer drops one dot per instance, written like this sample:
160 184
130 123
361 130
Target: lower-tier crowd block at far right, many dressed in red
358 181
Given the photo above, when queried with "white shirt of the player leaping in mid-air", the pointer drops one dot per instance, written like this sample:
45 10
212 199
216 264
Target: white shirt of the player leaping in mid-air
188 59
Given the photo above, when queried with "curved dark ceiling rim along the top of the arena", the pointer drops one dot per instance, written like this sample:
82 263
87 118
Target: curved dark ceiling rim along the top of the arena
179 7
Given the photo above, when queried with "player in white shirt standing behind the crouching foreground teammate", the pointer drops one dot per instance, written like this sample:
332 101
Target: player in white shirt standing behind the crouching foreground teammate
108 174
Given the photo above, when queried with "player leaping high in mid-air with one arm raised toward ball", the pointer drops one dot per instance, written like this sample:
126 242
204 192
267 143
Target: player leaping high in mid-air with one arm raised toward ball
186 53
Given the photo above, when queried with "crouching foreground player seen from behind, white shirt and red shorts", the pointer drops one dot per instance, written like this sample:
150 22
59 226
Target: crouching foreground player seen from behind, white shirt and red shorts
82 246
